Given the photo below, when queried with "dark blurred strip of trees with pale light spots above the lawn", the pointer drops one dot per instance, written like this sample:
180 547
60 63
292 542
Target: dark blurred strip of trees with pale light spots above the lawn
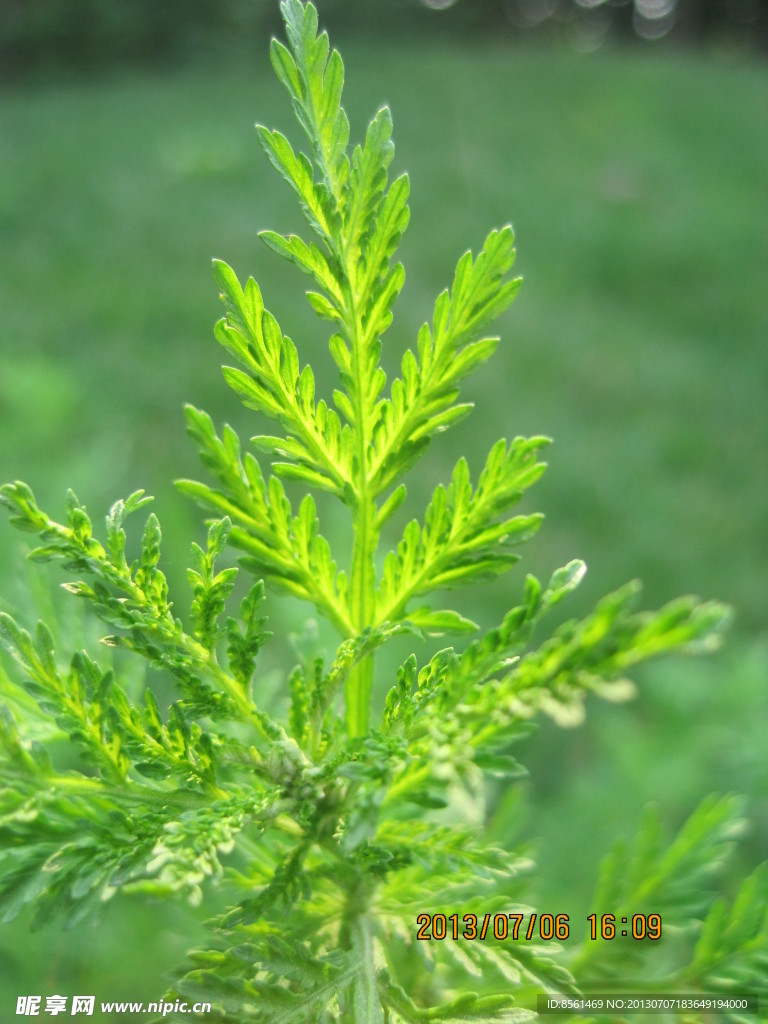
92 35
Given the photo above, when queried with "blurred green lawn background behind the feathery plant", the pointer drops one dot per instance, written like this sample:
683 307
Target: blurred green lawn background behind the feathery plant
634 176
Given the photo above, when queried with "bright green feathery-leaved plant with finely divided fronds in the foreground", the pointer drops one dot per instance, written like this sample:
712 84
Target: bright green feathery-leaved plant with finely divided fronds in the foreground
338 826
